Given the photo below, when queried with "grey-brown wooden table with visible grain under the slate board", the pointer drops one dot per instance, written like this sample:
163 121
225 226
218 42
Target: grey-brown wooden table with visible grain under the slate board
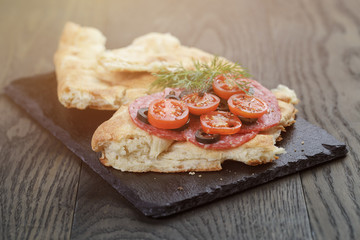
46 192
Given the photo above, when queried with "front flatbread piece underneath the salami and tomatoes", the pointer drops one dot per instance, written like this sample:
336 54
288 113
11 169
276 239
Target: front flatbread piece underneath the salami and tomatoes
126 147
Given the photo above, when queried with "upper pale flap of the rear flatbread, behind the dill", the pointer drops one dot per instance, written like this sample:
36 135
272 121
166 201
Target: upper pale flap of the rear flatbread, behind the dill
150 53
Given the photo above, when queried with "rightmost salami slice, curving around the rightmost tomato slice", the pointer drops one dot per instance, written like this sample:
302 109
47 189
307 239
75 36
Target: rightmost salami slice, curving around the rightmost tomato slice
269 119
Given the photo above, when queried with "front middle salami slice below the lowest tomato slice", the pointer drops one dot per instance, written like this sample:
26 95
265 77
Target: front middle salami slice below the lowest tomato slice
225 142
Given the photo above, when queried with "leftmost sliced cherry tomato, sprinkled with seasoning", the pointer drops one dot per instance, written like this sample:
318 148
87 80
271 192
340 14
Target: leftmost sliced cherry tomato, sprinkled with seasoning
167 113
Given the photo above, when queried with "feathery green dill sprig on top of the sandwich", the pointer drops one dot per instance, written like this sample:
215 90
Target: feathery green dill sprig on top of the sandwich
200 78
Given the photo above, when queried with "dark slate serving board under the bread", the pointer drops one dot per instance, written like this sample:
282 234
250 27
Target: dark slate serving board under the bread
156 194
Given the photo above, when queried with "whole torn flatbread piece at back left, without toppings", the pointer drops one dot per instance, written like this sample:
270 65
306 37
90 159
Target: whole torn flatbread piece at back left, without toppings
89 76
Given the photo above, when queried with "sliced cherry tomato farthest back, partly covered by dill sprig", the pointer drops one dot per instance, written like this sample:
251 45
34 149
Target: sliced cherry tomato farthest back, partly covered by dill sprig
224 87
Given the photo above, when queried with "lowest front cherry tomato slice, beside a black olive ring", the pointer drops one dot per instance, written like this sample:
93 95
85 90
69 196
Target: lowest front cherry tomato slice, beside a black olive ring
218 122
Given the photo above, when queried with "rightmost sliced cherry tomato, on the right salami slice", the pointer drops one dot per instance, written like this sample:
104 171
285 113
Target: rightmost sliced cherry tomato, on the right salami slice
247 106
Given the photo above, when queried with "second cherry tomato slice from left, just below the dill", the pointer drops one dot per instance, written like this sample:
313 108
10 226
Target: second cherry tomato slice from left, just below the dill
198 110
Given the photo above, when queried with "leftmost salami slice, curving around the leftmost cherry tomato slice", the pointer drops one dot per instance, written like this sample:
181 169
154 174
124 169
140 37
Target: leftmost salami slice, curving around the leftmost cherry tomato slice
145 102
